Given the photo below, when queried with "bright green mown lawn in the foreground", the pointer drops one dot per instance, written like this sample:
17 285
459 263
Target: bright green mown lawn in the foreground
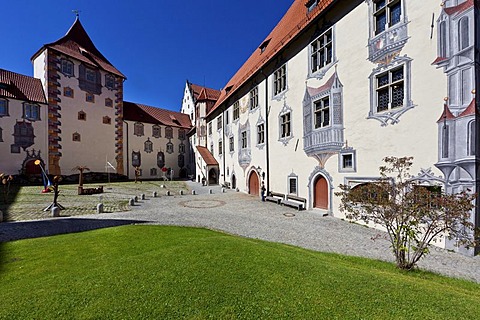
156 272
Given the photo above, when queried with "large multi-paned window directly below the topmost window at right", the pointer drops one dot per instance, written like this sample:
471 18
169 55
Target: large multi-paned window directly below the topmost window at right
390 89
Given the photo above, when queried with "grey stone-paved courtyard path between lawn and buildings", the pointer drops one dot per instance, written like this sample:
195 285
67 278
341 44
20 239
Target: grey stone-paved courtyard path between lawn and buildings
245 215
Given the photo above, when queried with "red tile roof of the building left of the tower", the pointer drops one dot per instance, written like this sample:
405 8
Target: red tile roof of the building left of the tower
17 86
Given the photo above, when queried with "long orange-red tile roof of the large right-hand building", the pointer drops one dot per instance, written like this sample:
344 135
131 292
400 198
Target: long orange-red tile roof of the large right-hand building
293 23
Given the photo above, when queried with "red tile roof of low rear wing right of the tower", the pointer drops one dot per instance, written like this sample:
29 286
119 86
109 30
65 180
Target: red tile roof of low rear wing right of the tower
142 113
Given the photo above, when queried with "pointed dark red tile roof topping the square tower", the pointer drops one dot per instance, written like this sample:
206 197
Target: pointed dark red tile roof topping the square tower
77 44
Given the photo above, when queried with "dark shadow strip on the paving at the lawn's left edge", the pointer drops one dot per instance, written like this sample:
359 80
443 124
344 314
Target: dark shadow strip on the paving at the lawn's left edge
11 231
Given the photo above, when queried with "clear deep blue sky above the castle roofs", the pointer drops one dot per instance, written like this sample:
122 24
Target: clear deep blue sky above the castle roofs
157 44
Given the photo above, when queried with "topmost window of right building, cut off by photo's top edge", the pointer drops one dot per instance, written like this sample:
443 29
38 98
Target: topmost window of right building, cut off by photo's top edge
386 13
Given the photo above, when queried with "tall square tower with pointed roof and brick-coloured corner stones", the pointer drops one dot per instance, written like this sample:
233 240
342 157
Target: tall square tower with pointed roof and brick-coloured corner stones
85 103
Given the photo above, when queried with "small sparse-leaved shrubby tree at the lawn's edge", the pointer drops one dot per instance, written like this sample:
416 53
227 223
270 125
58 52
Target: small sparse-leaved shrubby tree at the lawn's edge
413 216
